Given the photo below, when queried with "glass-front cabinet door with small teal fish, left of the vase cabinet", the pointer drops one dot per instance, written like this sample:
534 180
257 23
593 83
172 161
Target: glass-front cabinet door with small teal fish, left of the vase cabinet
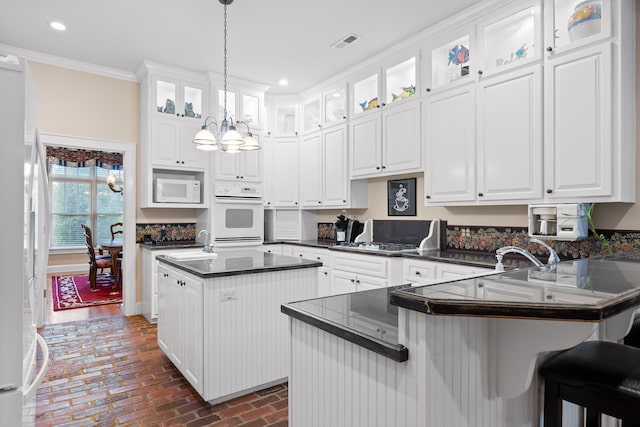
509 38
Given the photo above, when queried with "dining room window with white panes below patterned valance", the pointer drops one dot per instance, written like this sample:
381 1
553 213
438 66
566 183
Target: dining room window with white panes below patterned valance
80 195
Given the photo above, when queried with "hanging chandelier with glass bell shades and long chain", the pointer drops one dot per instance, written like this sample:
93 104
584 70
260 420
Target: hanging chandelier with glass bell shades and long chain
231 141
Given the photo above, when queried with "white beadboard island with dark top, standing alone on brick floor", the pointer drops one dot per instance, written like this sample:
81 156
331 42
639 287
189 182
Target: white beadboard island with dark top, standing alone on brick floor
219 318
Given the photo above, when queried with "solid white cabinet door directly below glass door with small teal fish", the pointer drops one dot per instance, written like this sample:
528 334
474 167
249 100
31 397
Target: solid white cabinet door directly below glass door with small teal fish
509 135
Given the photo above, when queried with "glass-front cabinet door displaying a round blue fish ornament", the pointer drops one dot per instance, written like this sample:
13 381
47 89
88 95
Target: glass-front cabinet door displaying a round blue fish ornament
449 62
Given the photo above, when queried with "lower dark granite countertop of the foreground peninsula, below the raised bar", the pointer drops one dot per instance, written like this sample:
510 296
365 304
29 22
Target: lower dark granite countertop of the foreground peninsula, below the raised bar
365 318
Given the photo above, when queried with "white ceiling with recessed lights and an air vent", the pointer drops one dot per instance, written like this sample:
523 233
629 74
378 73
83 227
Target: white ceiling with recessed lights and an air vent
267 39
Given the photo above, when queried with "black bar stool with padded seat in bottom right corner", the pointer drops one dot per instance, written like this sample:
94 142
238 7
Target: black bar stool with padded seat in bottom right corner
603 377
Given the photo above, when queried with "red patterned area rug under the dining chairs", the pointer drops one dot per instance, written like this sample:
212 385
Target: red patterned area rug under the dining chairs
74 292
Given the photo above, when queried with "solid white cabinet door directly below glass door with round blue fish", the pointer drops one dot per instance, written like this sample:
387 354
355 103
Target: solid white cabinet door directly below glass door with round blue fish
450 158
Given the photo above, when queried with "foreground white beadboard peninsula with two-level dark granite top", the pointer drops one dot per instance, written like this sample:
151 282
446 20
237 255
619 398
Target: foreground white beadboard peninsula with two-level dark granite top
473 345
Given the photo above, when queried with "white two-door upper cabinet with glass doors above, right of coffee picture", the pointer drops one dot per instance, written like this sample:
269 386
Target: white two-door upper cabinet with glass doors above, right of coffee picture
500 127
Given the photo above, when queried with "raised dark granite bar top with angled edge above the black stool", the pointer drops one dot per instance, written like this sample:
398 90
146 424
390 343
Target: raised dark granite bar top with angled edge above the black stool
590 289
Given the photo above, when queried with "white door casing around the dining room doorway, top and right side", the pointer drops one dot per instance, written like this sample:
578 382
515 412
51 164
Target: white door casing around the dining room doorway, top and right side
129 291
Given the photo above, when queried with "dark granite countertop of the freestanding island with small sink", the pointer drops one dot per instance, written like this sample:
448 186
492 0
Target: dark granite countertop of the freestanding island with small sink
233 263
